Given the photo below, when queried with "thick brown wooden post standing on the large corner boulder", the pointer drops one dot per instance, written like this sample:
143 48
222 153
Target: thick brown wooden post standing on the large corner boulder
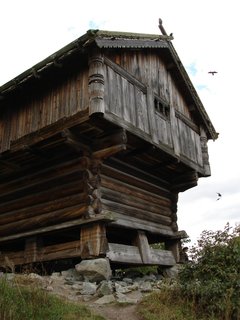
93 241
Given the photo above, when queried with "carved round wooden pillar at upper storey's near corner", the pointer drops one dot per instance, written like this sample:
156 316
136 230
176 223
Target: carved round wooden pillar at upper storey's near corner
96 83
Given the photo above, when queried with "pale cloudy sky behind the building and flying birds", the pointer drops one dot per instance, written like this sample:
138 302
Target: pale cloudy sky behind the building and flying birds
206 36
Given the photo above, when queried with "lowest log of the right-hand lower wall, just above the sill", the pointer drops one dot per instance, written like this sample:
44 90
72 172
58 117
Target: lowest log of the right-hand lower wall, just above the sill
136 213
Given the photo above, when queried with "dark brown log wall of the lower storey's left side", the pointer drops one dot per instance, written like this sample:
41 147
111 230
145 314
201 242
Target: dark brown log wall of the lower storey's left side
44 199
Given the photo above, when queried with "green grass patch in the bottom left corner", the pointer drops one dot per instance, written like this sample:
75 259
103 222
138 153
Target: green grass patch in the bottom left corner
32 303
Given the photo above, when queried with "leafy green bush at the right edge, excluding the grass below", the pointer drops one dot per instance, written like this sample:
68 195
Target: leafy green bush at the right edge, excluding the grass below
212 279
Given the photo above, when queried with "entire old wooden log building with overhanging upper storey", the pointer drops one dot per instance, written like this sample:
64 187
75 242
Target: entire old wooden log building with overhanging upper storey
96 142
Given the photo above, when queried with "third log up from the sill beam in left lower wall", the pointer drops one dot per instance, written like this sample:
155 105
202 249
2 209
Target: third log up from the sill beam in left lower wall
55 193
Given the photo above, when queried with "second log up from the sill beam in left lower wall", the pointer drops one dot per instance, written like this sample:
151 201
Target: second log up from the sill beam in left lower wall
43 208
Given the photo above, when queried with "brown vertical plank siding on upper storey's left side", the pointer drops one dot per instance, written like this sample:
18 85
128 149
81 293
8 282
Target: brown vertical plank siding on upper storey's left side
44 107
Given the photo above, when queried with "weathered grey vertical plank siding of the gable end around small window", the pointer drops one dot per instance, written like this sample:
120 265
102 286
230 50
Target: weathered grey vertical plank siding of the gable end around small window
126 98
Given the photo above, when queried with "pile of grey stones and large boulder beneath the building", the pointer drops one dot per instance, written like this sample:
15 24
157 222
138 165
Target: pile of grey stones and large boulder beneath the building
92 281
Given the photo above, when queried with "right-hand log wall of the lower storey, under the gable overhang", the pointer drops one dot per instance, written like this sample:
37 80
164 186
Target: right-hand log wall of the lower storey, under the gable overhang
136 203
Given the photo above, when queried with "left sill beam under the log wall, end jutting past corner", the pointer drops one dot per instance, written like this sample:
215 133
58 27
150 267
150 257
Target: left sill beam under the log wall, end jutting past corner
105 216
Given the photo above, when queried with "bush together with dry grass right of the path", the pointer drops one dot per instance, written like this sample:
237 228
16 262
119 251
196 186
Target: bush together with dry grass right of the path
208 288
